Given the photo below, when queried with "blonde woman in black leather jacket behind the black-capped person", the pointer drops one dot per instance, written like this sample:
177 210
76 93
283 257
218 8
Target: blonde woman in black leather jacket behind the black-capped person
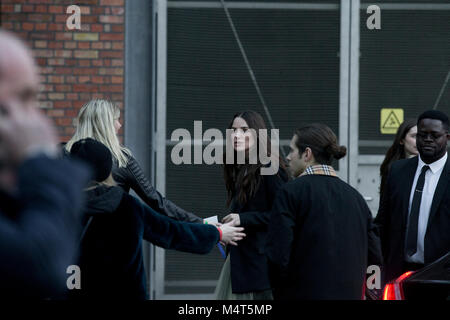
99 119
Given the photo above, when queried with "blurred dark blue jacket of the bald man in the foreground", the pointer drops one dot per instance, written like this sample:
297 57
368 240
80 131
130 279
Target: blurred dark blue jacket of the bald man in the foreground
38 228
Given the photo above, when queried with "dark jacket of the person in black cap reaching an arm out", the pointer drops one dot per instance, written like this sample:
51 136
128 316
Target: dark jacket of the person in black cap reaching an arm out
111 259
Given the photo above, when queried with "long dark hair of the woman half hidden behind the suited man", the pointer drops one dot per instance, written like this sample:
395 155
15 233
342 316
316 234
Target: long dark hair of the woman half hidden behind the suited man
396 151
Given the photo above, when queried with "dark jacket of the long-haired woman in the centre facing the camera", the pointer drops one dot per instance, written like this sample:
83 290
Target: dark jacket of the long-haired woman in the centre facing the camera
249 272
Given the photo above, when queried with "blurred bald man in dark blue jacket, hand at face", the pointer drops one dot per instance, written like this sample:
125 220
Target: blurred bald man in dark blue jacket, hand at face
40 194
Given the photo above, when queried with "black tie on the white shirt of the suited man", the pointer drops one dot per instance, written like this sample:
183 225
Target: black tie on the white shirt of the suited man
411 238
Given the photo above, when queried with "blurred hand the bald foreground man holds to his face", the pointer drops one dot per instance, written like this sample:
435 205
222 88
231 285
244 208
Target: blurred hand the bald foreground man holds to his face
23 131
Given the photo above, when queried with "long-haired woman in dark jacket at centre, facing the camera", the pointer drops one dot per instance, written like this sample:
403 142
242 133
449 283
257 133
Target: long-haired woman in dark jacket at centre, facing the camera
250 196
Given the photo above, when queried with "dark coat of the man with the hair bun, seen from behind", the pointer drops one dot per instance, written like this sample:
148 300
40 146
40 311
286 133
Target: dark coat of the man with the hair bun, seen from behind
321 240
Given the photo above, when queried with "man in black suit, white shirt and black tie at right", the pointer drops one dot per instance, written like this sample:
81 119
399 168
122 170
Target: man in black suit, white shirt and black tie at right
414 215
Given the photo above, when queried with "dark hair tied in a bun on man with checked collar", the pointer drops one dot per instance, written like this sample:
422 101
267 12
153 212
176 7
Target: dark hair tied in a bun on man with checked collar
321 140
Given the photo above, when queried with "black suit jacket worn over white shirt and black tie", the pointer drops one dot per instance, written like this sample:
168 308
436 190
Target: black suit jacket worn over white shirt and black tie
393 214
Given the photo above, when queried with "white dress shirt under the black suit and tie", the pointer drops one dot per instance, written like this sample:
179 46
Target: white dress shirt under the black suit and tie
431 180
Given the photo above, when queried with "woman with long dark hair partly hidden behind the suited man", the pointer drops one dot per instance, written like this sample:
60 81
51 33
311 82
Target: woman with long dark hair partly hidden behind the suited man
403 147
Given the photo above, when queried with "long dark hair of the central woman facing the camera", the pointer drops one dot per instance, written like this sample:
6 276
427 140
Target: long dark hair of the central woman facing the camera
243 180
